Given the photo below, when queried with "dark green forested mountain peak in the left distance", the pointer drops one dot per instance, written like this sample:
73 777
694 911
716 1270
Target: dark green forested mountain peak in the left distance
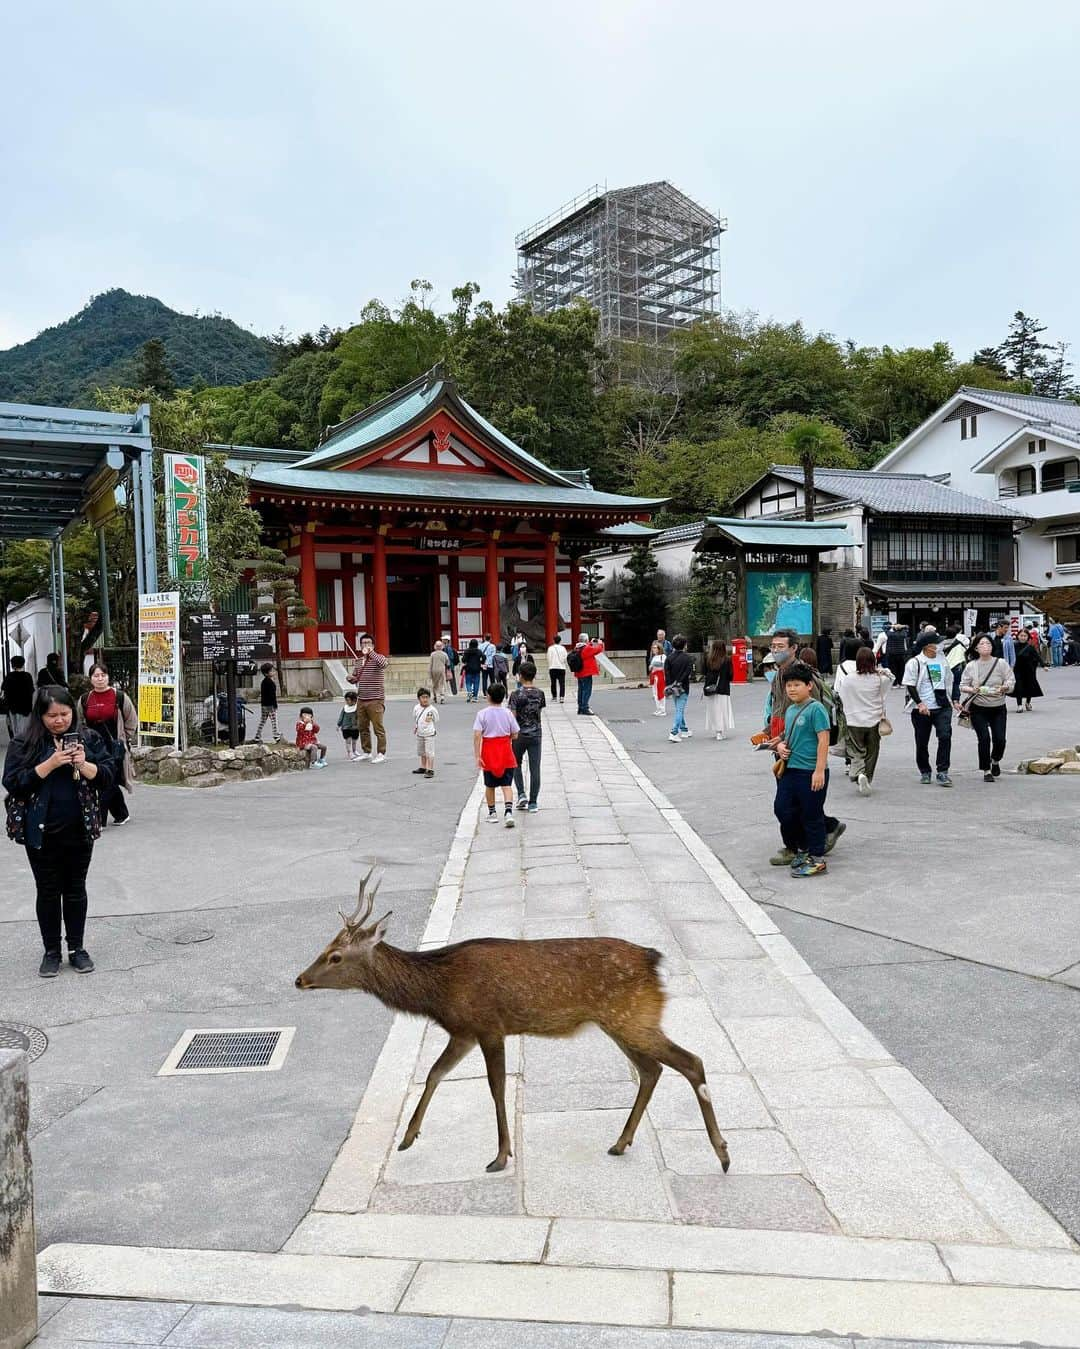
100 346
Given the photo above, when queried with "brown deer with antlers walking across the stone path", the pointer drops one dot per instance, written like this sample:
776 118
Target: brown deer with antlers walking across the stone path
482 991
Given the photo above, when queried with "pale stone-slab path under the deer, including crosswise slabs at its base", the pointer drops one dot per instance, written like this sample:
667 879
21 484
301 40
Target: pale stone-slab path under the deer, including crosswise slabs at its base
856 1204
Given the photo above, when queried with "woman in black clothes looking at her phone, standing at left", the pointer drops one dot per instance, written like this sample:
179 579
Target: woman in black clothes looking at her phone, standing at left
53 776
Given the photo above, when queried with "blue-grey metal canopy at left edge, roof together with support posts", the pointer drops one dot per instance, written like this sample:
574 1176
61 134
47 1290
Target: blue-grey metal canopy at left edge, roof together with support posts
56 465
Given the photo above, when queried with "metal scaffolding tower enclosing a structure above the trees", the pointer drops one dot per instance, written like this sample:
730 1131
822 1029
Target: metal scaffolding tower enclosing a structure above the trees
647 258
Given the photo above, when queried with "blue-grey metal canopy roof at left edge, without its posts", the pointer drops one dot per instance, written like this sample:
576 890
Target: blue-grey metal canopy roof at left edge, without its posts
55 459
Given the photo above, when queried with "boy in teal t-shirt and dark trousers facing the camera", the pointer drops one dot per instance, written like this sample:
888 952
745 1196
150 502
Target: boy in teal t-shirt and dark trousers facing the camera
800 803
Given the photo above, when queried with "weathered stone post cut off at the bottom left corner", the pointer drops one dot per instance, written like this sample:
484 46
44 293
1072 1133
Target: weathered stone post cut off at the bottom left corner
18 1259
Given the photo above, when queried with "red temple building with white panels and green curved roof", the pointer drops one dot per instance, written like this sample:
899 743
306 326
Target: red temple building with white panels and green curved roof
417 517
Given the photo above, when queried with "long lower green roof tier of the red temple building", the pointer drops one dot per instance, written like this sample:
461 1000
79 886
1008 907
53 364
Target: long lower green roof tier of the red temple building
443 488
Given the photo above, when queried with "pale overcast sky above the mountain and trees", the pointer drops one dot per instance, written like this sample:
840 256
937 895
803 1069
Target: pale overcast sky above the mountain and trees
889 173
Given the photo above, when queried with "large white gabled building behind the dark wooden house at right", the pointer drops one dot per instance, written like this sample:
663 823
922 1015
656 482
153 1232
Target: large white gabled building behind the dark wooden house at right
1007 447
